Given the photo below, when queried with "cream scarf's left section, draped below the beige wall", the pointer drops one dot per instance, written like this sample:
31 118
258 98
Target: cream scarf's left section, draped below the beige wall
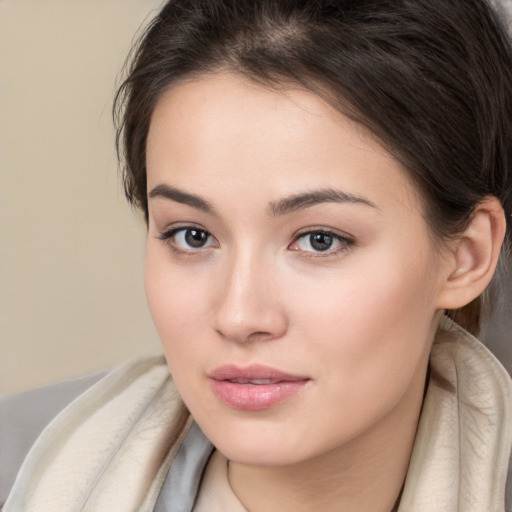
126 428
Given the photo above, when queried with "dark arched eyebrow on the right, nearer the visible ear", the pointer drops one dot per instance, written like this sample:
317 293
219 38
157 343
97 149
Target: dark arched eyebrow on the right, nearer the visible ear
315 197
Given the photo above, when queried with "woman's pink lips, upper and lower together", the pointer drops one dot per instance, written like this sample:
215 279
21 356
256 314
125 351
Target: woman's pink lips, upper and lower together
255 387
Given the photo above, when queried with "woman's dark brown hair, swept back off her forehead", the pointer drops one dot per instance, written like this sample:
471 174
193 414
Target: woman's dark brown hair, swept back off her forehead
431 79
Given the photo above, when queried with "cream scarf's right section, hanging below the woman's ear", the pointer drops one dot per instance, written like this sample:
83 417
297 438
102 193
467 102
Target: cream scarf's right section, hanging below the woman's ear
462 448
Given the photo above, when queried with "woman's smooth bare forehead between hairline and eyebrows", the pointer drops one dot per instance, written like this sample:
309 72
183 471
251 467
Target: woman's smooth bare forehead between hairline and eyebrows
225 128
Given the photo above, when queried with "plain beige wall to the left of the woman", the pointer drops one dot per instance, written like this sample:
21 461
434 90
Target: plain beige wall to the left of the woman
71 250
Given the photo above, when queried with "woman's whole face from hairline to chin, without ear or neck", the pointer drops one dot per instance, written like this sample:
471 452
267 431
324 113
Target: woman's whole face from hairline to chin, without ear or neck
289 270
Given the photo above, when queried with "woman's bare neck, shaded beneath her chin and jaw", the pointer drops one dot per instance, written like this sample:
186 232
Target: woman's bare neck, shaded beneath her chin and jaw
364 475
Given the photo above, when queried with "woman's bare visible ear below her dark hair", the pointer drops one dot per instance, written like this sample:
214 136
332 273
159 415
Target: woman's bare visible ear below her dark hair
473 256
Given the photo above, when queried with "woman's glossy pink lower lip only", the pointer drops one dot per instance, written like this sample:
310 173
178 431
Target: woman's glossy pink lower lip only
255 397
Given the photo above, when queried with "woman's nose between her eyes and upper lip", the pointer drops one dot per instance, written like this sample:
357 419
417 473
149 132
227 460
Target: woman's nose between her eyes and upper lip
250 307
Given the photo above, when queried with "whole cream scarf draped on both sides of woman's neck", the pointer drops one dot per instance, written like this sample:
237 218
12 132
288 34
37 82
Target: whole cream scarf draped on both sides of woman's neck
111 449
